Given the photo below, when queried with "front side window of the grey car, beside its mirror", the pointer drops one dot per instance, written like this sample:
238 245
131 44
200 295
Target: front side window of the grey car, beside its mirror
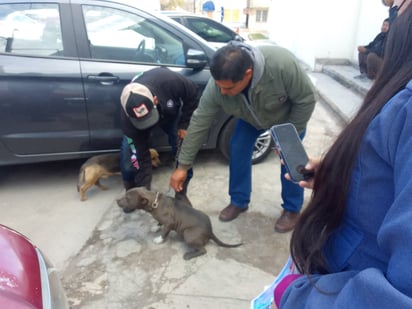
119 35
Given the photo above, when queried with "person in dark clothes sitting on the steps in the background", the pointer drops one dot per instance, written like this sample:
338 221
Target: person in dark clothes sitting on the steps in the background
371 56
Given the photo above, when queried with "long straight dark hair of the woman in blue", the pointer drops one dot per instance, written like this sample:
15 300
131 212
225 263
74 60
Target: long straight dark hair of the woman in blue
326 208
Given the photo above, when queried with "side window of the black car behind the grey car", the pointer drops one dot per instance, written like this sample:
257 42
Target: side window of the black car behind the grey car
209 30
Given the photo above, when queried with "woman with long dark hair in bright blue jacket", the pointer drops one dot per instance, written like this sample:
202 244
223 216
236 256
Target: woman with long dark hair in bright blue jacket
353 243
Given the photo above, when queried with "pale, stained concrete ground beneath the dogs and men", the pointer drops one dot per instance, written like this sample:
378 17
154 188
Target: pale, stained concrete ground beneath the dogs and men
107 259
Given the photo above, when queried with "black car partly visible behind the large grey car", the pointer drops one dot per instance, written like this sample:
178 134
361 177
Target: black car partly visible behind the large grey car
209 29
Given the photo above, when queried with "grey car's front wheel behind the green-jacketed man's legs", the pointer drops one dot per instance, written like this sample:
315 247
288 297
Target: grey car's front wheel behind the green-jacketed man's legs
263 146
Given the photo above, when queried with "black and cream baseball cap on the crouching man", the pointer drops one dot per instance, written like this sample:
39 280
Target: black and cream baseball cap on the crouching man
138 104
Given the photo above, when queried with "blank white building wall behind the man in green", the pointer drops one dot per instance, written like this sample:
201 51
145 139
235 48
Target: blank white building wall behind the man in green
325 29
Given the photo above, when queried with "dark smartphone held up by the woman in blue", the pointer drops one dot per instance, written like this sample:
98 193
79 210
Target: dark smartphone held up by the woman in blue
291 151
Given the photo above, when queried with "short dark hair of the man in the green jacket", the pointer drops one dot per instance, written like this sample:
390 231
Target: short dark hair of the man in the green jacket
231 62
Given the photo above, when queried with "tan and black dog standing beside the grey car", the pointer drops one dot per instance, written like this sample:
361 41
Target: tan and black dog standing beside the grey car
103 166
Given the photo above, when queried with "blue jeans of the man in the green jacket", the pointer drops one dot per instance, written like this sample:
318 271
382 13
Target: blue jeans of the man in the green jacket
240 179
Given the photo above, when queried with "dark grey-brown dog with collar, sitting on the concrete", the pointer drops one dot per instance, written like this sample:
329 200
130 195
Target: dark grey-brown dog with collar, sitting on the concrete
174 214
